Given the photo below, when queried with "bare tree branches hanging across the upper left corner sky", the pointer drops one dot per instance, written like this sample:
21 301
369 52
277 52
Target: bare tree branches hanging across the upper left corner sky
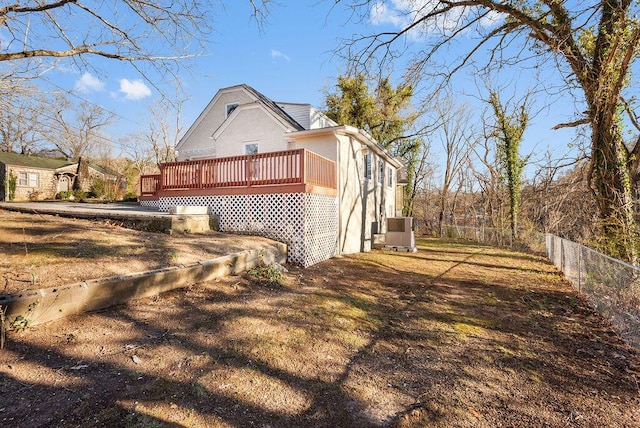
143 33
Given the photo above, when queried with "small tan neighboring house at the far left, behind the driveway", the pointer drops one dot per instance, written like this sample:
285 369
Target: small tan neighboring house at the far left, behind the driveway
38 178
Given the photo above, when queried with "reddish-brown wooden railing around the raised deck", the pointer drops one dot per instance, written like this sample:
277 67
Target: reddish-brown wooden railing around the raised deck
291 167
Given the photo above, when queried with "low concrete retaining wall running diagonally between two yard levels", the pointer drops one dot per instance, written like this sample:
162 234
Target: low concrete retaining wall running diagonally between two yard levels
49 304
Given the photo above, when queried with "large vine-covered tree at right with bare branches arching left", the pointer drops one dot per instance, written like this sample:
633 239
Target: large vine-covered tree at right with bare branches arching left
593 44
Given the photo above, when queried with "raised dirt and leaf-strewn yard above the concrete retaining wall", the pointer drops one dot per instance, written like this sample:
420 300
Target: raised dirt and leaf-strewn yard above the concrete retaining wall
42 251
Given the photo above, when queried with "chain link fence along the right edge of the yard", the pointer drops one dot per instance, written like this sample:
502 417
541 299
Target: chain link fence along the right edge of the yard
610 285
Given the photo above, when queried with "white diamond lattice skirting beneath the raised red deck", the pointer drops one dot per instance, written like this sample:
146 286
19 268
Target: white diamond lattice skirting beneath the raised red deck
307 223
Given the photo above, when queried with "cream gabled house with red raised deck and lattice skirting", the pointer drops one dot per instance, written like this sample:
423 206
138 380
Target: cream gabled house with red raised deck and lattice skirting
282 170
